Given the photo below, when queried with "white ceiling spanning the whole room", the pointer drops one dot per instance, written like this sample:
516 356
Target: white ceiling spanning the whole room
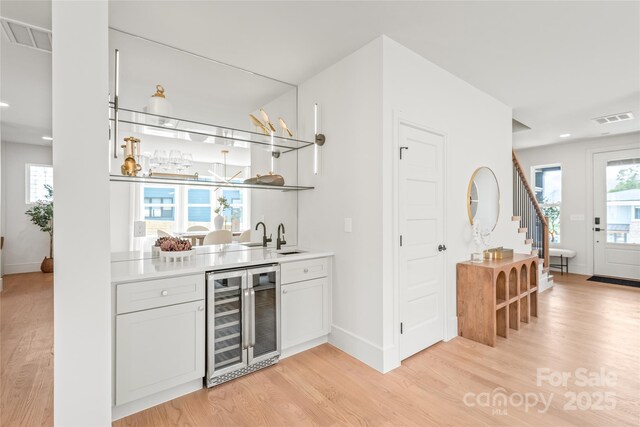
557 64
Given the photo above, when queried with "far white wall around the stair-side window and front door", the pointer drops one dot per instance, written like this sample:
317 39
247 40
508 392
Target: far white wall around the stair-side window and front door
575 159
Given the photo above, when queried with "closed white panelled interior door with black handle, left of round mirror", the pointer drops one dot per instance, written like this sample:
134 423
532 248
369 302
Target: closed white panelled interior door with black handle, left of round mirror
421 216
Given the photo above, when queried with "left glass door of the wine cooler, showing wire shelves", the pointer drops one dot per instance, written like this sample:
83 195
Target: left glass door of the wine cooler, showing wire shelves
227 338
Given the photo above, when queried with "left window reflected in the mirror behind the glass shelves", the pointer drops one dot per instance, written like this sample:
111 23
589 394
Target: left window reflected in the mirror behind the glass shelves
160 209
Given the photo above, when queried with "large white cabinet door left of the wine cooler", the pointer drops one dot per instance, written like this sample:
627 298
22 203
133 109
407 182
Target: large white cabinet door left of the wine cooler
158 349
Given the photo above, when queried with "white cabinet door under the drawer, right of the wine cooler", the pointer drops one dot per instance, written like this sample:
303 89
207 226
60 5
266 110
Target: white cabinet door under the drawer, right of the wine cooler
305 311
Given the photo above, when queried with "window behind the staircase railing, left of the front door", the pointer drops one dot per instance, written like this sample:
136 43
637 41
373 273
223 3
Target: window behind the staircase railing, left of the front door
548 190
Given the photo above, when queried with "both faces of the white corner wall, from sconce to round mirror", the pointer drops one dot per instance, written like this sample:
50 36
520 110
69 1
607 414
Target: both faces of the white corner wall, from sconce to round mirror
360 98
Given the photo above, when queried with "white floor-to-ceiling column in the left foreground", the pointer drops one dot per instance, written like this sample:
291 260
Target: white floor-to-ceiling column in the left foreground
82 298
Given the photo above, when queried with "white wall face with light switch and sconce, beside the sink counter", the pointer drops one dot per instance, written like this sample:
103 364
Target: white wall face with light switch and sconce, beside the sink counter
349 96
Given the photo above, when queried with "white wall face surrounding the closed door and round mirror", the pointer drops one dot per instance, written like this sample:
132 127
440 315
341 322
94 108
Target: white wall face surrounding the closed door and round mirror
477 131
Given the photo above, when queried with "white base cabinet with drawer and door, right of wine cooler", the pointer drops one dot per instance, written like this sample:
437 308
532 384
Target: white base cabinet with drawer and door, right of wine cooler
305 310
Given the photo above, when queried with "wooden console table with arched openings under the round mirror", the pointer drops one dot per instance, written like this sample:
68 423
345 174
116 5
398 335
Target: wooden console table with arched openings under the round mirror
496 295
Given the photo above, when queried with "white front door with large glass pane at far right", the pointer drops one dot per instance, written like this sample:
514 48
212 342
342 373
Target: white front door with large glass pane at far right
616 222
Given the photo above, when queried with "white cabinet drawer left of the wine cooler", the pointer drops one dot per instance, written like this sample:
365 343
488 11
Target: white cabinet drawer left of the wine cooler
158 293
